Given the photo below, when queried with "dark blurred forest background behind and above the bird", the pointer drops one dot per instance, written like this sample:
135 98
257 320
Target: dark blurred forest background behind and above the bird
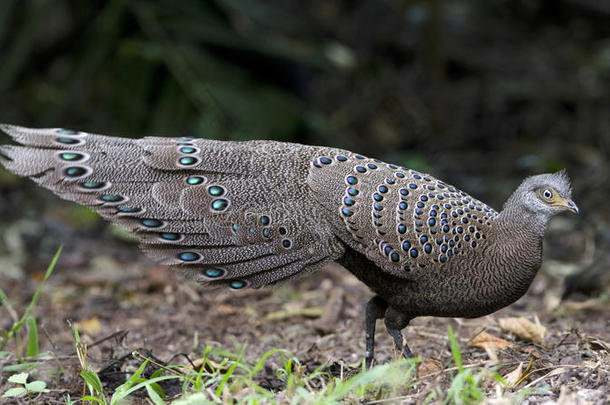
480 94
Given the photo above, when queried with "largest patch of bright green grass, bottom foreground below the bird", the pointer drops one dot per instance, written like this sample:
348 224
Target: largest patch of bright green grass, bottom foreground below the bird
234 379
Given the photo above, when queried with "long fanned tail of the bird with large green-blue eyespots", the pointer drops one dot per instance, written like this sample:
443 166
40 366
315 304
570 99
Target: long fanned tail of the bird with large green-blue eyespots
227 212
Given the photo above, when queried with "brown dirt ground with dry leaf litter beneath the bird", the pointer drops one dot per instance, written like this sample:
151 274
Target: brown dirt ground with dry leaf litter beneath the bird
123 302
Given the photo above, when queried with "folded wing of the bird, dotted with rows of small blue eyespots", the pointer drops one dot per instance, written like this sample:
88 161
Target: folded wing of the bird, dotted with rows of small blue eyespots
402 220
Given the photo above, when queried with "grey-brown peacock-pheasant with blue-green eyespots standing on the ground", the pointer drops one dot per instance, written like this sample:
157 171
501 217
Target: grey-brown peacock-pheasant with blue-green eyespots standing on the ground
255 213
